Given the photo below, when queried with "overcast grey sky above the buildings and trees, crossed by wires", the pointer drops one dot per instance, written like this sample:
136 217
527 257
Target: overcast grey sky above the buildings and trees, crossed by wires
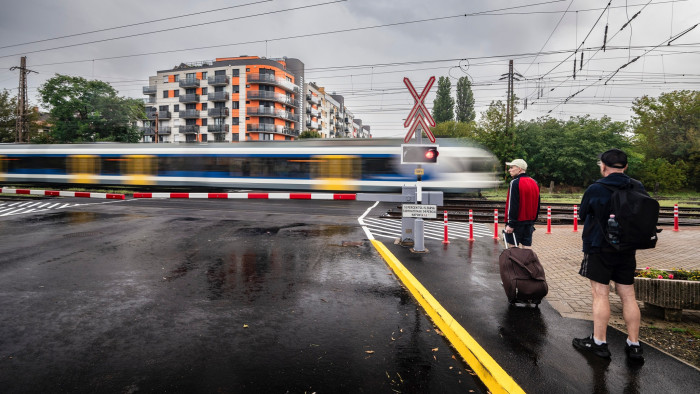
363 49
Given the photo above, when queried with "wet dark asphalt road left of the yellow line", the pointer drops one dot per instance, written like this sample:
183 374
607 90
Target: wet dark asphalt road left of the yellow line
210 296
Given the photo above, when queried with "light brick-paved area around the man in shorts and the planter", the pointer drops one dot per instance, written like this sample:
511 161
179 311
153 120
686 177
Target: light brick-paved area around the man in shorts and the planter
570 294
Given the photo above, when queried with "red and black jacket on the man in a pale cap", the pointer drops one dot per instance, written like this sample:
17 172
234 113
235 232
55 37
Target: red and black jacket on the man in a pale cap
523 200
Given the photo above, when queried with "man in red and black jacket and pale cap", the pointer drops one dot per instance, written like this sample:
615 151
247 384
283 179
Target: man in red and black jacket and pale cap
522 205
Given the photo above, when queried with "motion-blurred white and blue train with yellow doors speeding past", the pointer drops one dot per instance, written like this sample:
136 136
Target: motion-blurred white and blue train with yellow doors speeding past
337 165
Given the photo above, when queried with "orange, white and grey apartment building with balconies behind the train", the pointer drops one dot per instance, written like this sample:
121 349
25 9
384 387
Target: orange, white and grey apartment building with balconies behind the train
237 99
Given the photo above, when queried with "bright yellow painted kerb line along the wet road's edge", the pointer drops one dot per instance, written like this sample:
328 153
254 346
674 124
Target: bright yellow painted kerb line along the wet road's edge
486 368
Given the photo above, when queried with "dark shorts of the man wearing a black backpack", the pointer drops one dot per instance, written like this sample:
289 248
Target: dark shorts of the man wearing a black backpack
604 267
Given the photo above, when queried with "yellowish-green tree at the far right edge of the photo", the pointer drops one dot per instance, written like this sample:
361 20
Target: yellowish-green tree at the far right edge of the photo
669 128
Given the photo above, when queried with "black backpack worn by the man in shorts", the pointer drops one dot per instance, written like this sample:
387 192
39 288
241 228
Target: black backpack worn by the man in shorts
637 215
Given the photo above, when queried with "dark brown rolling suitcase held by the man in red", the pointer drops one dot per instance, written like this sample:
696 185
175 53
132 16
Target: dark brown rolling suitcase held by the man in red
522 275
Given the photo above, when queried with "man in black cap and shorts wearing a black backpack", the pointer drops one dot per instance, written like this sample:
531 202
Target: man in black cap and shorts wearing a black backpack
609 249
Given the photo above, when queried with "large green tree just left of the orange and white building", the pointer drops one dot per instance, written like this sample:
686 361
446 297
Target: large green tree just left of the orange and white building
87 111
